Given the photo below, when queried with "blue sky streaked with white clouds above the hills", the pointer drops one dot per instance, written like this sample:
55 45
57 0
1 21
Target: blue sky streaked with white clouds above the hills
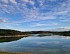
34 15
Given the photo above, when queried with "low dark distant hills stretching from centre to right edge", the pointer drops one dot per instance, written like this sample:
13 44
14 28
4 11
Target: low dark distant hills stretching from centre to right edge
63 33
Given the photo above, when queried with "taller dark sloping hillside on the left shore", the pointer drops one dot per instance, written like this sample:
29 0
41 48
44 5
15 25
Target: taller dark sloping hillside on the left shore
8 32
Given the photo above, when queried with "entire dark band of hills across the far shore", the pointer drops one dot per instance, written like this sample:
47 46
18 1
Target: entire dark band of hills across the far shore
8 32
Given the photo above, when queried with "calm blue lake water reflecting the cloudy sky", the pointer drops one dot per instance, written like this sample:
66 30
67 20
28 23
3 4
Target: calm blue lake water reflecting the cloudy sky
38 45
